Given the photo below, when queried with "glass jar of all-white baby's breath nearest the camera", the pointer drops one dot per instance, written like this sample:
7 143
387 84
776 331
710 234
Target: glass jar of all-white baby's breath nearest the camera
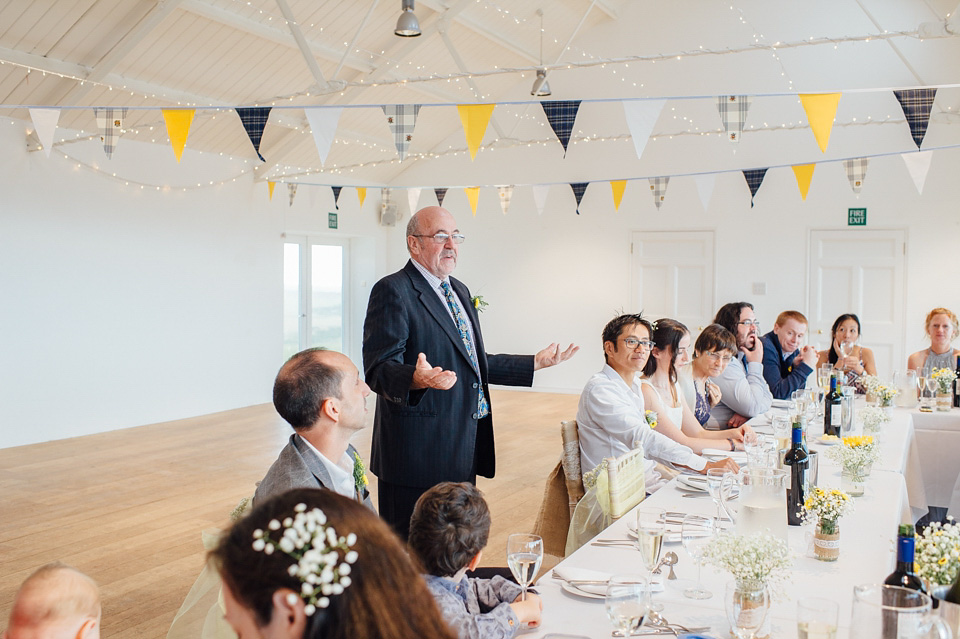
759 563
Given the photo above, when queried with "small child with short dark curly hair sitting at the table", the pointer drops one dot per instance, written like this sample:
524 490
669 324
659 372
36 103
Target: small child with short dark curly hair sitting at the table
448 531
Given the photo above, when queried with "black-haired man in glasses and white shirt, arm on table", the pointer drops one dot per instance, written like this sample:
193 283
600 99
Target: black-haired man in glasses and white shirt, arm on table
610 417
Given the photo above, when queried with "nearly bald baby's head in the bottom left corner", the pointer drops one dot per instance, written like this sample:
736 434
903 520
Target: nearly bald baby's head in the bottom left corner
55 602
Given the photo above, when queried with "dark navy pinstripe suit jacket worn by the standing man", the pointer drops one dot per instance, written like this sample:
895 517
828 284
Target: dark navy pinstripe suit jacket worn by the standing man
426 436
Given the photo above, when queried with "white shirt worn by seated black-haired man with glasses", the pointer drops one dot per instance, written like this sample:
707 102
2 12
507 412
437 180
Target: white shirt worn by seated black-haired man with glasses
610 418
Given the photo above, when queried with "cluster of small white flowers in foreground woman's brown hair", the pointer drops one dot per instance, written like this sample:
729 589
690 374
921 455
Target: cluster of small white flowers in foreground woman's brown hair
315 546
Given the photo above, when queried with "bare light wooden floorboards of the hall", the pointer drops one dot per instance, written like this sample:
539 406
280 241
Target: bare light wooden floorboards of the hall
127 507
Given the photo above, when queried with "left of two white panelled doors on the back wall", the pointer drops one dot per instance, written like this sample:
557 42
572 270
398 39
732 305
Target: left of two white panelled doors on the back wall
673 276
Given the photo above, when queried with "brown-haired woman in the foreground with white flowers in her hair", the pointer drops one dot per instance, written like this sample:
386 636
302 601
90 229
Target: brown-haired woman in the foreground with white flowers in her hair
310 564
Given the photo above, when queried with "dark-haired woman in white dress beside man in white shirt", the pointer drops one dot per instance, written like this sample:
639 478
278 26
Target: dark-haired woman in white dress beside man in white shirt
661 393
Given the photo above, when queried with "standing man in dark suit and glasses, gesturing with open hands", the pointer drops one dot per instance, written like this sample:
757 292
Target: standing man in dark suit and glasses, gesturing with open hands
423 354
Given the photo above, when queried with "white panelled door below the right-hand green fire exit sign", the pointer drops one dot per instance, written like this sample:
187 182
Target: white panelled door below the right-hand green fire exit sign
860 271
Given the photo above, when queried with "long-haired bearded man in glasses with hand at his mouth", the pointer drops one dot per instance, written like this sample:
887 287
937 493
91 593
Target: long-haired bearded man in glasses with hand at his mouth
744 391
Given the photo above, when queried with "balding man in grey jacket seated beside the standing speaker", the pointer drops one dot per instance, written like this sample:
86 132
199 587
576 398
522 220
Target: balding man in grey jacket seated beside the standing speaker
320 394
